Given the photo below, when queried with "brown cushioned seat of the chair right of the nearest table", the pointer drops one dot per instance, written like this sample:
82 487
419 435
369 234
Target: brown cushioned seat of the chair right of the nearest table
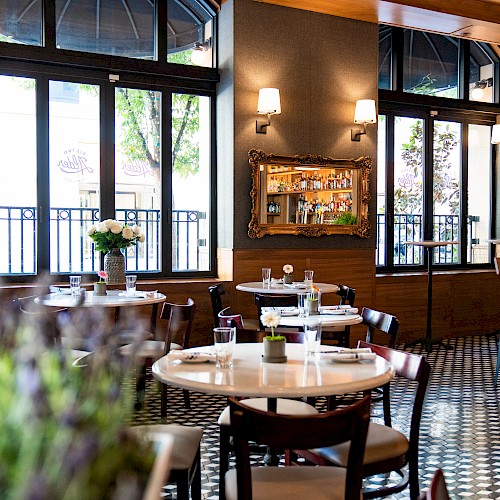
382 443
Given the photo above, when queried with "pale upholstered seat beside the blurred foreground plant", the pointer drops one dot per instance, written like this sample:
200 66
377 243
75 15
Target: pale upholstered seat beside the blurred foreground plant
187 440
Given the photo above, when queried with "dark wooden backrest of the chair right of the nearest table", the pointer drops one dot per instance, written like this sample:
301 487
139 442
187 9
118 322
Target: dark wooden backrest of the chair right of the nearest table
414 368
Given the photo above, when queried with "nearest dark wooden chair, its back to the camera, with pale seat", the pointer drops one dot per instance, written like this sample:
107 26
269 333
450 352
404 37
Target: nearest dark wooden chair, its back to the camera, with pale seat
347 425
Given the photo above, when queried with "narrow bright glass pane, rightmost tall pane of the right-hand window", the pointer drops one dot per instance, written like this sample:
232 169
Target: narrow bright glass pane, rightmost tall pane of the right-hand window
478 191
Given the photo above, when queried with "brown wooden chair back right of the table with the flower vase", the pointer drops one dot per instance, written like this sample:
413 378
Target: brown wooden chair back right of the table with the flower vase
179 323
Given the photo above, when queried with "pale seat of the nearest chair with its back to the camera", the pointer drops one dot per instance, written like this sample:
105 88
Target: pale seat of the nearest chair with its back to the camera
277 483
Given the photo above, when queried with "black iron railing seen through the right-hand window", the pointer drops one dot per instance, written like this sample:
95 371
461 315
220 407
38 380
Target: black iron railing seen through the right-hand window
409 227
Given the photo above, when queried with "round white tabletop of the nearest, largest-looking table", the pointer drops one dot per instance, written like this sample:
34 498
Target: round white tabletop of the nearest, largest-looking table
254 378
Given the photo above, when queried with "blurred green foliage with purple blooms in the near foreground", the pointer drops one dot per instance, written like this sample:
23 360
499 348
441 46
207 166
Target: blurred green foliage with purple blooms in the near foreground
64 429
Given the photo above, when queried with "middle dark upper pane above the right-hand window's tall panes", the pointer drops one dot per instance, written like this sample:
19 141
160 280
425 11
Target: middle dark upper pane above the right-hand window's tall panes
430 64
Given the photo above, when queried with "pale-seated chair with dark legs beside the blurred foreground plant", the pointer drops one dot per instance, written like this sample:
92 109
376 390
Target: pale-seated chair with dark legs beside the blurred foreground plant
185 461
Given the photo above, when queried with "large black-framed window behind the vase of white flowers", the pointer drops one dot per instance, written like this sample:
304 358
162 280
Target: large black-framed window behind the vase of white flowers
102 139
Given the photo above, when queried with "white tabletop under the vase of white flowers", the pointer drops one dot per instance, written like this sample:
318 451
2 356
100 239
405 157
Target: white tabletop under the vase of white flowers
114 298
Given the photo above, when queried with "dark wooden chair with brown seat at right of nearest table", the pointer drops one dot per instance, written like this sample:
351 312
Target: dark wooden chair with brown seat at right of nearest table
386 448
